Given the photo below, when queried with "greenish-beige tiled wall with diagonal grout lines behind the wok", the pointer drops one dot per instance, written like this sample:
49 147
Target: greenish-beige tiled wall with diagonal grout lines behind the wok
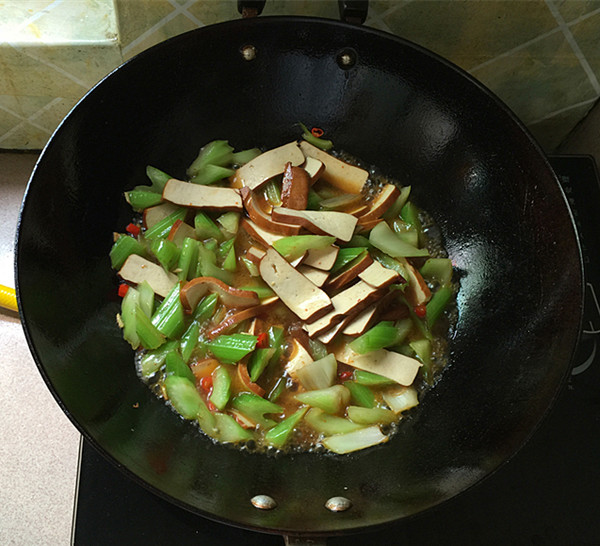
542 57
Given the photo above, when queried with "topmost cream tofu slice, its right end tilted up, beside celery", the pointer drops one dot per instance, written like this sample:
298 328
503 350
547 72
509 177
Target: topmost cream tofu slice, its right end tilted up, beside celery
267 165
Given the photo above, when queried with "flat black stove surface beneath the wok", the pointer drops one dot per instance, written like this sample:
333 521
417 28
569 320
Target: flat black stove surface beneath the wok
549 493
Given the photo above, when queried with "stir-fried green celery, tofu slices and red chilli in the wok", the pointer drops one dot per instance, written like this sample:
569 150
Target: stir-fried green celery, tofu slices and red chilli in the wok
285 299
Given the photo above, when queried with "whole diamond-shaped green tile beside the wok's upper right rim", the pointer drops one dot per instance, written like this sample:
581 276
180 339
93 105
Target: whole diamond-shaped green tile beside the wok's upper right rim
539 79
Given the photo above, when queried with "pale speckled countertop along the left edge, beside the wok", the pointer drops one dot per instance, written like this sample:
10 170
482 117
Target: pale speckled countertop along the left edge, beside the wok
39 447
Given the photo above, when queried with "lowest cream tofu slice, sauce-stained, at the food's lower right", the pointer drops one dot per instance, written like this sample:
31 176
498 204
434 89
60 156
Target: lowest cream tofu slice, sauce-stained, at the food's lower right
399 368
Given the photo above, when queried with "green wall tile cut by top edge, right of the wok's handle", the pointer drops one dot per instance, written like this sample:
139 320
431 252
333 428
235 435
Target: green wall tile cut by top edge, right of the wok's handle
468 32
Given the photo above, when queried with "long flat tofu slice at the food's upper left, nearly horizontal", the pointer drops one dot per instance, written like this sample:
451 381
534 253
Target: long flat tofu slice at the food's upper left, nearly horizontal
198 196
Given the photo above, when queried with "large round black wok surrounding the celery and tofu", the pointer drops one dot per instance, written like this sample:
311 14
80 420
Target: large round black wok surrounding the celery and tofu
471 164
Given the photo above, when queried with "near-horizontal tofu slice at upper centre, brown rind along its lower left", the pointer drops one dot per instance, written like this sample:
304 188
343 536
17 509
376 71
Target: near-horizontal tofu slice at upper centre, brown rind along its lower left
337 224
